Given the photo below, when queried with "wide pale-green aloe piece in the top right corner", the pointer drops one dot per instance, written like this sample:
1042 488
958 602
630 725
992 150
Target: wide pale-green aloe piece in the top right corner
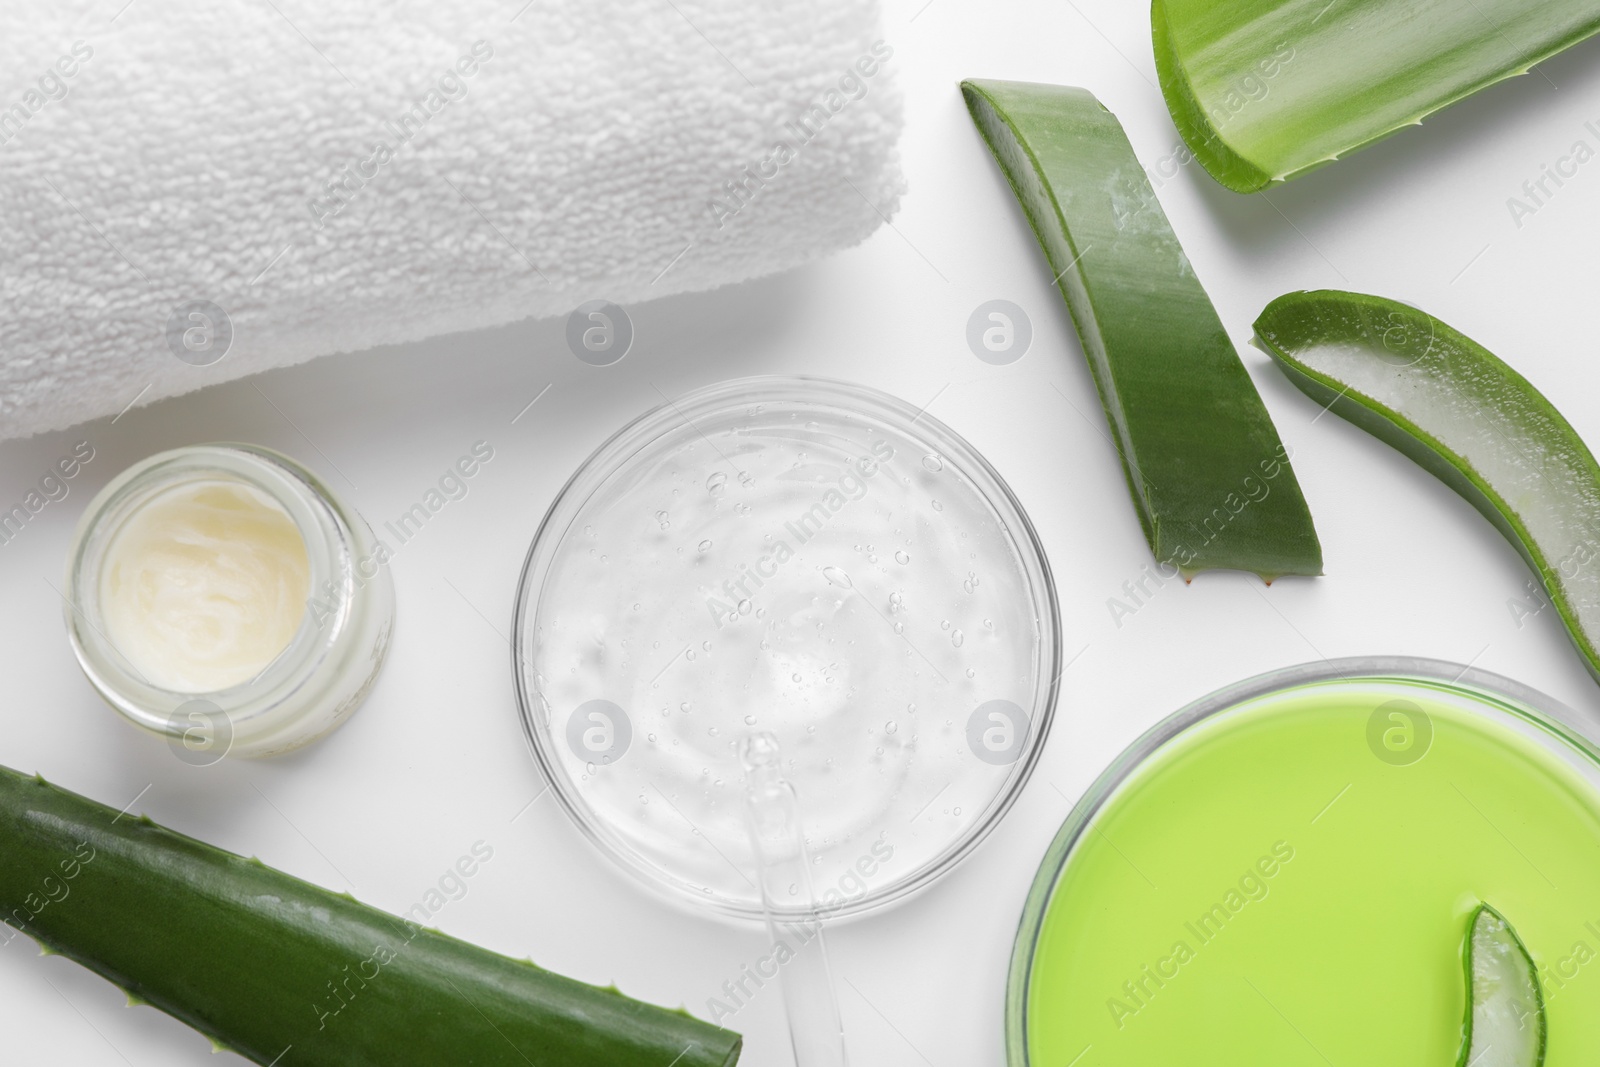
1268 90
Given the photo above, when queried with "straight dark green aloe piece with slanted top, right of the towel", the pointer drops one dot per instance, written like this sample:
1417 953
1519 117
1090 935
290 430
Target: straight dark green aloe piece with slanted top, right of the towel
1207 471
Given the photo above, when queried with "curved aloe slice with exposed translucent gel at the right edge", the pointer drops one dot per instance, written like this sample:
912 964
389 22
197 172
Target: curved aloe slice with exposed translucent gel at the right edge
1463 415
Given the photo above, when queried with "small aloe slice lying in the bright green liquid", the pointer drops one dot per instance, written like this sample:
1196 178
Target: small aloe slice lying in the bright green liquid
1505 1021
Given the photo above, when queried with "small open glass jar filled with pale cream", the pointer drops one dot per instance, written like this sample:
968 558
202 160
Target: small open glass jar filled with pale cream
226 599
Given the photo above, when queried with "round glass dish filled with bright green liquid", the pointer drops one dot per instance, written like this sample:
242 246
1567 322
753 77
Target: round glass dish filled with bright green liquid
1284 873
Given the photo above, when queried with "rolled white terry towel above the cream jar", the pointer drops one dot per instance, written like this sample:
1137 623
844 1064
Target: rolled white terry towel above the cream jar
338 175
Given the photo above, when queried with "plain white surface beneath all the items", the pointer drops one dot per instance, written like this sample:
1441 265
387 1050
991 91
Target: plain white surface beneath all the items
438 761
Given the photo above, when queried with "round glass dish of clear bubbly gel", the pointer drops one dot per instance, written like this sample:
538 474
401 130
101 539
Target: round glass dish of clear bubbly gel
804 557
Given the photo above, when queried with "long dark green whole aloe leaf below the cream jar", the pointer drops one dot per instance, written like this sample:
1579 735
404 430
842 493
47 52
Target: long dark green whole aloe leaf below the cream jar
292 975
